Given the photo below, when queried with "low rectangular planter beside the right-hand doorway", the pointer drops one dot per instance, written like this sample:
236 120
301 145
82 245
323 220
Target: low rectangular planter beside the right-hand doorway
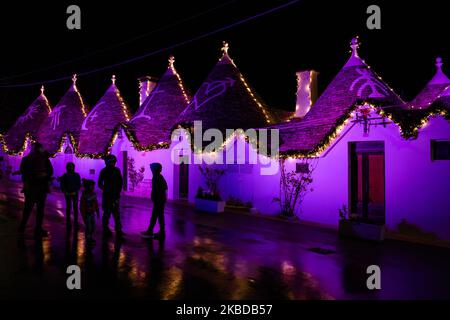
359 227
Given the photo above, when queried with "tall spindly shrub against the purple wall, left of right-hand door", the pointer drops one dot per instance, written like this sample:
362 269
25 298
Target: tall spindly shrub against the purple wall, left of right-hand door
294 185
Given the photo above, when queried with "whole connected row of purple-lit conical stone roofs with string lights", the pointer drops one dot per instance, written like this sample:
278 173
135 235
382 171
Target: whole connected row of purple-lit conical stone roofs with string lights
225 101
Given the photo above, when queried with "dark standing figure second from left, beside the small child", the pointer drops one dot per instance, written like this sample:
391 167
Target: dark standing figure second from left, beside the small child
70 185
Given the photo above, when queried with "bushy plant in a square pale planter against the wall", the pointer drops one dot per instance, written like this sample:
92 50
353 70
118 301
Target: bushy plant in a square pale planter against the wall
210 200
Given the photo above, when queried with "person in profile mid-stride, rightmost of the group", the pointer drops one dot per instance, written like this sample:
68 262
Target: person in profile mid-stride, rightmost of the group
159 198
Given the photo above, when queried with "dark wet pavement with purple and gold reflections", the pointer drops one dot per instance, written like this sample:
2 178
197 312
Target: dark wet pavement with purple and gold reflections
227 256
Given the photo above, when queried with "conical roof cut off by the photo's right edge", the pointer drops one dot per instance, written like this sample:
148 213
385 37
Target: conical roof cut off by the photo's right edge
433 88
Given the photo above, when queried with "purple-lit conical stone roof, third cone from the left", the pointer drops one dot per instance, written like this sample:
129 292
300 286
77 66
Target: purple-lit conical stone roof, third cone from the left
99 127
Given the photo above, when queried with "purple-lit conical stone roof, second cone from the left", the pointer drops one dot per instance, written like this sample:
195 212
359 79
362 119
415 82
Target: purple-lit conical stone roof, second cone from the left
66 118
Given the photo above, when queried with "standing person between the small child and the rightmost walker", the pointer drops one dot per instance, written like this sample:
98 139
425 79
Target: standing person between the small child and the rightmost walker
110 182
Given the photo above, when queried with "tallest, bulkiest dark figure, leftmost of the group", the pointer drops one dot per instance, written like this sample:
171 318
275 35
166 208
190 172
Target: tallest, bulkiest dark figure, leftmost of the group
36 170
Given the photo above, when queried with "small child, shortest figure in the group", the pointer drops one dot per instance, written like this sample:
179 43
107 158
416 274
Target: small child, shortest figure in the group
89 208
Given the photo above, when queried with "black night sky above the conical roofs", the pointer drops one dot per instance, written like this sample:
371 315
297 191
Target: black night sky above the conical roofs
311 34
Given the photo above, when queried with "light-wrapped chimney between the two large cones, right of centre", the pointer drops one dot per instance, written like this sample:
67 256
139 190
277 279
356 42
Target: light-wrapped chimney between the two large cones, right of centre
306 92
